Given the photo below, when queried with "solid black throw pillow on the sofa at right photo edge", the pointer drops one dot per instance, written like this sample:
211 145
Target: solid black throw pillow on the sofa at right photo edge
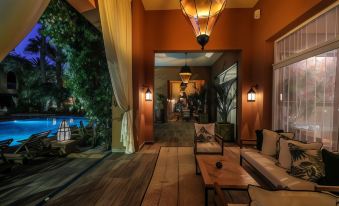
331 161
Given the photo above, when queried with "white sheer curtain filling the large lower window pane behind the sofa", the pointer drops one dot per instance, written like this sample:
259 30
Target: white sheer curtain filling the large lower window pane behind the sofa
306 99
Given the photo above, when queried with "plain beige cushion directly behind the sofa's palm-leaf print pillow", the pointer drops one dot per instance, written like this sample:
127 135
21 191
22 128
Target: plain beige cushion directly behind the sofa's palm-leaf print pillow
285 159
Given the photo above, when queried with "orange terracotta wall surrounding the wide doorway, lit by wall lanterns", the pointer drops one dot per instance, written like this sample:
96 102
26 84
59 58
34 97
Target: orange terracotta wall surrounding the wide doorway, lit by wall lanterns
235 30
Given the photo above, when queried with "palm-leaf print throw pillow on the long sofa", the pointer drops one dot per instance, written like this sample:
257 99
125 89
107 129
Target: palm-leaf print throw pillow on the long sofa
306 164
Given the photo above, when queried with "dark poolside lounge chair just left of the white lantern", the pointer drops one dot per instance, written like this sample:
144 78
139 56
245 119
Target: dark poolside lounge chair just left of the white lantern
29 149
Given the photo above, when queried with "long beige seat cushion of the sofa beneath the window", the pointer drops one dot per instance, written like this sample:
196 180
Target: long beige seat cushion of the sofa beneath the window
278 176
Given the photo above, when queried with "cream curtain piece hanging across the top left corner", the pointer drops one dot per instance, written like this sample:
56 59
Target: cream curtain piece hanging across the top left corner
17 19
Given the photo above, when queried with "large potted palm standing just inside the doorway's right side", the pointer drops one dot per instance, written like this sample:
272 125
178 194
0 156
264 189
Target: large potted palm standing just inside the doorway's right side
226 102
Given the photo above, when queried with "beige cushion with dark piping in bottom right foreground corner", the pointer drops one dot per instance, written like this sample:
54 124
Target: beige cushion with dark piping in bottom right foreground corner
262 197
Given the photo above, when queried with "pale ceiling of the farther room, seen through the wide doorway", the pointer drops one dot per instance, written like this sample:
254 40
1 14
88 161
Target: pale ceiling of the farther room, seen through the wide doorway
193 59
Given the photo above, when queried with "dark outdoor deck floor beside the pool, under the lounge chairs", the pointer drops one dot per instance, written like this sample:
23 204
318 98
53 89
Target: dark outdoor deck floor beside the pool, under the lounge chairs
29 184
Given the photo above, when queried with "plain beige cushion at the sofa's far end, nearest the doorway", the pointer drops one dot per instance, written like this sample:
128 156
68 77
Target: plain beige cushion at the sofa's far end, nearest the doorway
269 146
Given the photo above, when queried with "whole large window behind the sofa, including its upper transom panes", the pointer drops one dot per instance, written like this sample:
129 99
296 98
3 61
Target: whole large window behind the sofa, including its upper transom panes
306 81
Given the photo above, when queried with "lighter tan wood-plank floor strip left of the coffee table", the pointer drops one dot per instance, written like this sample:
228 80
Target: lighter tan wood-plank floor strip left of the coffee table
174 181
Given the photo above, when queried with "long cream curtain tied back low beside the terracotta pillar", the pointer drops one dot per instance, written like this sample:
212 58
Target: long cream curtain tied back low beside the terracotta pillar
116 22
